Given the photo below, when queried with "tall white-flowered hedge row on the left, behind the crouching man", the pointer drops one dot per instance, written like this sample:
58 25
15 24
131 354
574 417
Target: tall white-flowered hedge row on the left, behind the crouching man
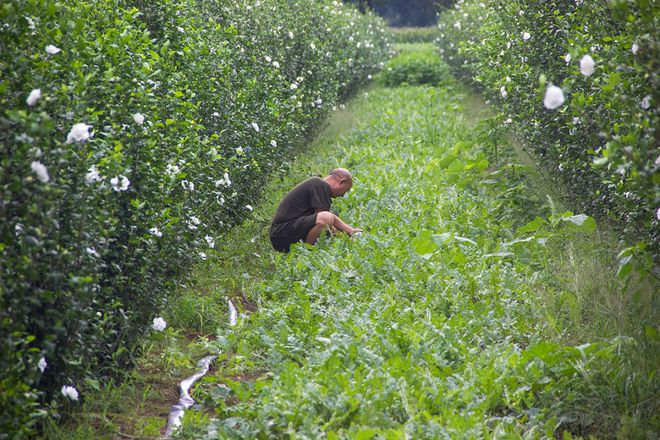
133 133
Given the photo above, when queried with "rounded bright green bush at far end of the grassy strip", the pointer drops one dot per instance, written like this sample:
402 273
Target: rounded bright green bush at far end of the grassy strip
415 68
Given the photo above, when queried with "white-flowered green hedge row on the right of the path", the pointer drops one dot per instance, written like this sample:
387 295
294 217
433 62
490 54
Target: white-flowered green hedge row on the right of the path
579 81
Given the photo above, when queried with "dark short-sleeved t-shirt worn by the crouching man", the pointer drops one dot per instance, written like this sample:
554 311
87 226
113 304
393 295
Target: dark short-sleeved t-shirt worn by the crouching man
301 201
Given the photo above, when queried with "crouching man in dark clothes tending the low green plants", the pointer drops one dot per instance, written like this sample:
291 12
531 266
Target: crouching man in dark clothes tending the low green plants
305 211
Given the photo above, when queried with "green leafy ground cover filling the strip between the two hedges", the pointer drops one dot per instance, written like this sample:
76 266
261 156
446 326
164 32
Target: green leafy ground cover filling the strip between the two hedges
436 323
